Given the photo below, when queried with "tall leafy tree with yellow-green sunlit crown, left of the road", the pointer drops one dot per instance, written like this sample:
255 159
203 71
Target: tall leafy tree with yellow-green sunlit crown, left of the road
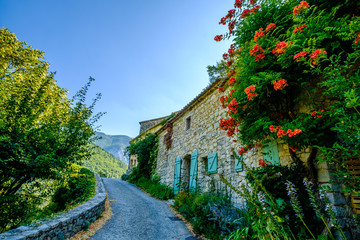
42 132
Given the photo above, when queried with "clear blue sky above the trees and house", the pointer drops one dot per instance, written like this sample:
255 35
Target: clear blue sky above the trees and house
149 58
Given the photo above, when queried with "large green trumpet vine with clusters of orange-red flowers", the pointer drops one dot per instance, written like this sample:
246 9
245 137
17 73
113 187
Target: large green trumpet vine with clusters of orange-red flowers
318 92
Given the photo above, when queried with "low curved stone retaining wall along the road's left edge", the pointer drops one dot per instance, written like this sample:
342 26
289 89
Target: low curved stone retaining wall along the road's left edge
64 225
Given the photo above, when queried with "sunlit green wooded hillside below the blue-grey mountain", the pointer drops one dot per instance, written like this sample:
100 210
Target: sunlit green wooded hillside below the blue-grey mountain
104 163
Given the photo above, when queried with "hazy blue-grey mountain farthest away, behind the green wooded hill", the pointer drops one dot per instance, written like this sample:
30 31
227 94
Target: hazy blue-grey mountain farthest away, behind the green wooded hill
114 144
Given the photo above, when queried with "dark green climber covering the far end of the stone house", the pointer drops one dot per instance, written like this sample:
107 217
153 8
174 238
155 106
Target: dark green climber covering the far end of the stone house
146 151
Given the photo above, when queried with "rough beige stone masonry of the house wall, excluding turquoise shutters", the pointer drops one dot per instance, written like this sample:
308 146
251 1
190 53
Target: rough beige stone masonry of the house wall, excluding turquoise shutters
205 136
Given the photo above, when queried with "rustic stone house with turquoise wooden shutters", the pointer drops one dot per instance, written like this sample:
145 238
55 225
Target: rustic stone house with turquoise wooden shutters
194 152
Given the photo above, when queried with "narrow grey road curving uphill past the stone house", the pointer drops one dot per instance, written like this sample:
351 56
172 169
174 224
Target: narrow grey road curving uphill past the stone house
137 216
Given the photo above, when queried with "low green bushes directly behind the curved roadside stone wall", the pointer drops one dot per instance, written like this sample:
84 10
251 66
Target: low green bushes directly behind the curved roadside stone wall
43 199
